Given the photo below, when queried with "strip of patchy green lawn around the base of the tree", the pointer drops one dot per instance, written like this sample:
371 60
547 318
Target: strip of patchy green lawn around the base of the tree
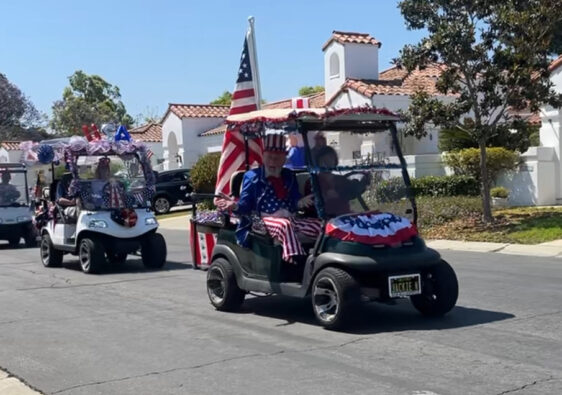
522 225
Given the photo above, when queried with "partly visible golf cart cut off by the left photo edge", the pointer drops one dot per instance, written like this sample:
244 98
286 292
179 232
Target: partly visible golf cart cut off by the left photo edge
15 208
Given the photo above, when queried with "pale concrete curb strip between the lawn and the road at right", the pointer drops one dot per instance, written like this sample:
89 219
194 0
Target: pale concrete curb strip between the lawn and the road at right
549 249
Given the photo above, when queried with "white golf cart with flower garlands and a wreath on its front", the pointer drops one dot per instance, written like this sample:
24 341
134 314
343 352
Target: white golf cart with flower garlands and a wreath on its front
113 186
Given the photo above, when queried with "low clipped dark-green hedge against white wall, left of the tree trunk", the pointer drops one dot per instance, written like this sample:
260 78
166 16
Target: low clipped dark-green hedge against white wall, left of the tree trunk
446 186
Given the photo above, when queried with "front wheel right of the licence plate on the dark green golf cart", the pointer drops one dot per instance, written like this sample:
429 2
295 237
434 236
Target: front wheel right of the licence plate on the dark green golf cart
440 290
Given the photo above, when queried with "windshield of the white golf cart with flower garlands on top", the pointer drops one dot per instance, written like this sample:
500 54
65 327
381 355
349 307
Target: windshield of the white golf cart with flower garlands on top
111 182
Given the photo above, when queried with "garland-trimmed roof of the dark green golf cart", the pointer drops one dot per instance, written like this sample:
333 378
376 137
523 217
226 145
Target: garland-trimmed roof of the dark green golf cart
352 119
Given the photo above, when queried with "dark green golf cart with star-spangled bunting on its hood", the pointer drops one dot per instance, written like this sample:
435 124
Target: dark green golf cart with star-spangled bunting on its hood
362 254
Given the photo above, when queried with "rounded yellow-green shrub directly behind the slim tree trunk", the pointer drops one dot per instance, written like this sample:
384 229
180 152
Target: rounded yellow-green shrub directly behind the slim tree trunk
467 161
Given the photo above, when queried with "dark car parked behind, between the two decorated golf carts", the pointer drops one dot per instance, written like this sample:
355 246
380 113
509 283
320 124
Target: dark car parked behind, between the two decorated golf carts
172 188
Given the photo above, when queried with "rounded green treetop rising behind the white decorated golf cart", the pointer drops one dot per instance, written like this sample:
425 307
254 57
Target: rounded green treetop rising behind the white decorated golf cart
89 99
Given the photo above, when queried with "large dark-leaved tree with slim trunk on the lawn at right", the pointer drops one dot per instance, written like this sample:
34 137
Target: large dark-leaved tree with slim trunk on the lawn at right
494 57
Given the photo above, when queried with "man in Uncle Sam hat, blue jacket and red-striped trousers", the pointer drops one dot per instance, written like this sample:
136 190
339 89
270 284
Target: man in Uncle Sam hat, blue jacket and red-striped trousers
272 192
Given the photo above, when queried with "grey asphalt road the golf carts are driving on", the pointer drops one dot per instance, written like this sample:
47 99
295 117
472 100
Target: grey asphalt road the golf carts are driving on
132 331
